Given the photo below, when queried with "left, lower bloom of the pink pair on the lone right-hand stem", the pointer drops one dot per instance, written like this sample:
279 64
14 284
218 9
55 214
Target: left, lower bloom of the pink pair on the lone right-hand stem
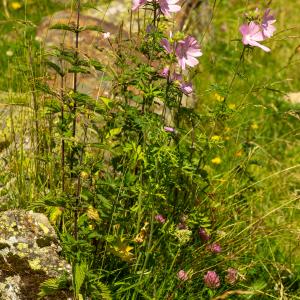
252 34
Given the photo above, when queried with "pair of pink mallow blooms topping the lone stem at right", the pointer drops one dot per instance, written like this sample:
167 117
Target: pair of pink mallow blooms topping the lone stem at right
253 33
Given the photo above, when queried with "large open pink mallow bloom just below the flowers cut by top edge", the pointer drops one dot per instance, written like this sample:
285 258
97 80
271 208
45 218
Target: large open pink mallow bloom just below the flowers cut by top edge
186 51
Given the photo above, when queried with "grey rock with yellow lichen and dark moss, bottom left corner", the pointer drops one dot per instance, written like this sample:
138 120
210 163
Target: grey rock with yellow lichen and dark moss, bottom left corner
29 255
